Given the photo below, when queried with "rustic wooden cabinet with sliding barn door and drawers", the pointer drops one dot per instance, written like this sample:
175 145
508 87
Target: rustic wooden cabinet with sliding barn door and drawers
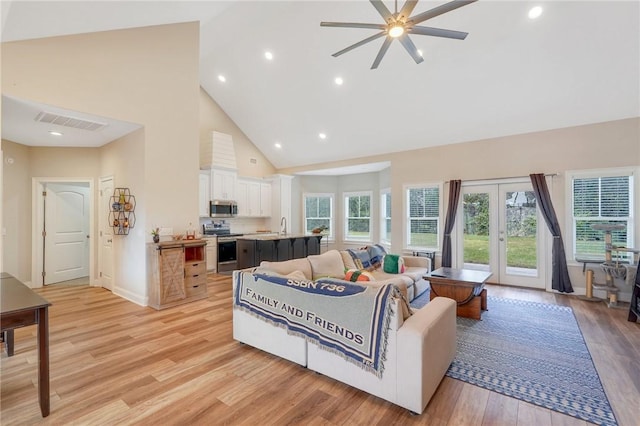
177 272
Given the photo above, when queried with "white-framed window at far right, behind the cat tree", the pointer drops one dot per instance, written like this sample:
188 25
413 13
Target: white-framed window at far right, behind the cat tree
603 199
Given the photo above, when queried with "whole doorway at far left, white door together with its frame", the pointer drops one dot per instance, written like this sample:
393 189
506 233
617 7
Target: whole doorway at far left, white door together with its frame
62 223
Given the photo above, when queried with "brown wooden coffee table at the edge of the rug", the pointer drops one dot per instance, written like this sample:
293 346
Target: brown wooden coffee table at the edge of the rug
465 286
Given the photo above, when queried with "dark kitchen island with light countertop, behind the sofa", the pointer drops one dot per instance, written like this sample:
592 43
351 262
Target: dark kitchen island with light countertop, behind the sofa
253 249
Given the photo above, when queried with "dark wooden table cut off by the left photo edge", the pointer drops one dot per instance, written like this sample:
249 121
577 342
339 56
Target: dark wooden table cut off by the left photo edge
19 307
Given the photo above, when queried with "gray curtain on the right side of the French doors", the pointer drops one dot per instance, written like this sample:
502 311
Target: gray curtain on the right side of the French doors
560 275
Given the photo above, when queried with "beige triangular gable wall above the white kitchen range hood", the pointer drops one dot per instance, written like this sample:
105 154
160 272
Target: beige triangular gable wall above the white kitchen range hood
212 117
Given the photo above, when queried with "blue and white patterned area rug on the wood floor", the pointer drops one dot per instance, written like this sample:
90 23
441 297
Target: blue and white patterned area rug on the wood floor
534 352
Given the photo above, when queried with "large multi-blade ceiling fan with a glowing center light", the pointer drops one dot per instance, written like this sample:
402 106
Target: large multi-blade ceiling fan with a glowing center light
399 25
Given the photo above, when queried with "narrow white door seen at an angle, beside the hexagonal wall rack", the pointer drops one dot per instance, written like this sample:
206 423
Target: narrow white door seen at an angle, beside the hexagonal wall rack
105 250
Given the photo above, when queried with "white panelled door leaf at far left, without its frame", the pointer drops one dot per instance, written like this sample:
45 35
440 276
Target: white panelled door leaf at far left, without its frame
66 253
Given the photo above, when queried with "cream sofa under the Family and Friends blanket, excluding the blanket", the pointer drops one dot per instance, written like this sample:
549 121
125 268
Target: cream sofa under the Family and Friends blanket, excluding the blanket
420 343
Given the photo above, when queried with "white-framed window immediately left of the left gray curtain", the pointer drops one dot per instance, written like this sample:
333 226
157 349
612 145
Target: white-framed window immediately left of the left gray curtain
423 216
